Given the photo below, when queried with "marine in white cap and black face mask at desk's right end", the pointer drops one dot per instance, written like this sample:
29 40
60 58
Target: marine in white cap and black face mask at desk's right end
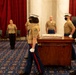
69 28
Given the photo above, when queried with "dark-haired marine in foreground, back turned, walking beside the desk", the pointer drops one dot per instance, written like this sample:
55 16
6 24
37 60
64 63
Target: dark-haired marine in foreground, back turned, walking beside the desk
33 47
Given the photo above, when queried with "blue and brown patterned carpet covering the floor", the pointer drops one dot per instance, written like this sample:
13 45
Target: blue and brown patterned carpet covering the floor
12 62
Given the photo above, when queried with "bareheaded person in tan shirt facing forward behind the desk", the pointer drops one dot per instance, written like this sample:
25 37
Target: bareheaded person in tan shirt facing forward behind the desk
51 26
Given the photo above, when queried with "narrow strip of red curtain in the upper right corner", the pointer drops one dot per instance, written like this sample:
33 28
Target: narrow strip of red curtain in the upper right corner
72 7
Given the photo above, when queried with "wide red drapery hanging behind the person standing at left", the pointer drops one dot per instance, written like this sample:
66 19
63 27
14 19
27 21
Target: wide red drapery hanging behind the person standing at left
15 10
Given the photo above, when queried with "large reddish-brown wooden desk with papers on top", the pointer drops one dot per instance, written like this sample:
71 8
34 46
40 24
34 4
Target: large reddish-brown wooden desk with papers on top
55 51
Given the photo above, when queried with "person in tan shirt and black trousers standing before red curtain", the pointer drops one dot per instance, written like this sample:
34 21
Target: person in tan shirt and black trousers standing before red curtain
12 31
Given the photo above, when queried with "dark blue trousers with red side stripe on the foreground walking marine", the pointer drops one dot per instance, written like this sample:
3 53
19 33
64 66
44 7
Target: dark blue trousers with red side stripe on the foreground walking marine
34 56
